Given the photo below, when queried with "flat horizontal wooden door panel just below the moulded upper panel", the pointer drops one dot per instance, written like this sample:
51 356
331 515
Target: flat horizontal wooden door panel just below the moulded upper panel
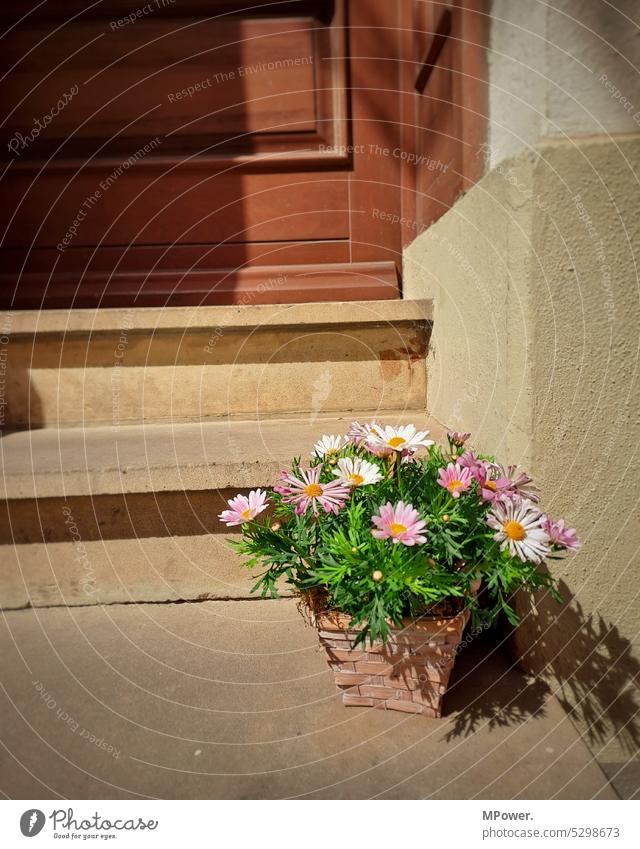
174 207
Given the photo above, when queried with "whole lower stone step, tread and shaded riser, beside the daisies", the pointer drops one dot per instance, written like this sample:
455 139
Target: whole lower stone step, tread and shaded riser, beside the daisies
114 515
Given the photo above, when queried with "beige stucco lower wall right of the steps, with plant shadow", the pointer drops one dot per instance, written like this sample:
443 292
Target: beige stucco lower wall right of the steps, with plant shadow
535 348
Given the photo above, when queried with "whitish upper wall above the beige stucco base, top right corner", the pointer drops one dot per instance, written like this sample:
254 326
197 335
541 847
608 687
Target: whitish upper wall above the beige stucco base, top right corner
561 69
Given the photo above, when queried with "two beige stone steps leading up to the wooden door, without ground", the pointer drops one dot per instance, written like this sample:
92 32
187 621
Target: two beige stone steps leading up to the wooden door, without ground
144 422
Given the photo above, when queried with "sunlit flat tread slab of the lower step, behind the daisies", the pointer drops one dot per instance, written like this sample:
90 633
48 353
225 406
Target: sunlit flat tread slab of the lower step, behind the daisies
211 455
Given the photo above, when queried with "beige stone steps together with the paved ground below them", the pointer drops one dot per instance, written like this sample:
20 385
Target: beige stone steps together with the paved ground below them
124 433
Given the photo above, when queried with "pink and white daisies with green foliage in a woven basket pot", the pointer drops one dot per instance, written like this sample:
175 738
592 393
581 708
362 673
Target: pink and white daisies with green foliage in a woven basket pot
387 538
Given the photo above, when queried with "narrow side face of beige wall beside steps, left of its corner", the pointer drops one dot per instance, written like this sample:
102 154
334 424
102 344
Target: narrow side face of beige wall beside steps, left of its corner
476 263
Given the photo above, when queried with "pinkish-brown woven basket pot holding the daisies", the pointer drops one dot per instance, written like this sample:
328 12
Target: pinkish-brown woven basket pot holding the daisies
409 673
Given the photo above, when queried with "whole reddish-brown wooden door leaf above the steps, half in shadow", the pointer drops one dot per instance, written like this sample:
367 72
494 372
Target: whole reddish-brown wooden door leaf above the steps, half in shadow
206 127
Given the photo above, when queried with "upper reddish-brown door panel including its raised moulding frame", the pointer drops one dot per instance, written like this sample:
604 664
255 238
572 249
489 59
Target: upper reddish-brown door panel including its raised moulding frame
209 86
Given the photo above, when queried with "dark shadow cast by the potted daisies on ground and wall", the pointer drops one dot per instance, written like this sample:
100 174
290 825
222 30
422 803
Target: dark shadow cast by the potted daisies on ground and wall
580 659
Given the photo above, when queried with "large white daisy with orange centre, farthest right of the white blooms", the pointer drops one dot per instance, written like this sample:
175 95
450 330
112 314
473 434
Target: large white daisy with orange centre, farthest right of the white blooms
519 526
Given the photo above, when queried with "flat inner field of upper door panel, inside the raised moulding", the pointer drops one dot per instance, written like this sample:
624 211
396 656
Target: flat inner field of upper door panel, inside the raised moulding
153 70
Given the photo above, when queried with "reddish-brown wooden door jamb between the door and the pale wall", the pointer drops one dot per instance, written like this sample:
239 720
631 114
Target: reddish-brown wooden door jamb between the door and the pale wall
445 104
